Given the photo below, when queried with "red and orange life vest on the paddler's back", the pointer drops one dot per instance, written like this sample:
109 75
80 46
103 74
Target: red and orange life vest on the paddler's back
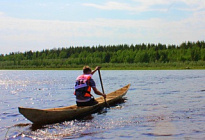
83 85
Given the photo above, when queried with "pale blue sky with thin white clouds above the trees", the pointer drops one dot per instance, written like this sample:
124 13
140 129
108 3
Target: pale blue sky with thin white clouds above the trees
46 24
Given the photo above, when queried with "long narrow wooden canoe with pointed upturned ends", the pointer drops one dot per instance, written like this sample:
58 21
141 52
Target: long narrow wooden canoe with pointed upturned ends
53 115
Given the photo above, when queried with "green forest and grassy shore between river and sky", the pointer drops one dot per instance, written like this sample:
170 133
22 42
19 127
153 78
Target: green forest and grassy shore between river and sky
123 56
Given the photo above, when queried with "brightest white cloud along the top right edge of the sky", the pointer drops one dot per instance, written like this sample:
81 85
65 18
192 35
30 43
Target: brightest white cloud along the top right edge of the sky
147 5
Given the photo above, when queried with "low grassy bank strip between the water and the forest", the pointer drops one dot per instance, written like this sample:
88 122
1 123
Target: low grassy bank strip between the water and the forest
113 66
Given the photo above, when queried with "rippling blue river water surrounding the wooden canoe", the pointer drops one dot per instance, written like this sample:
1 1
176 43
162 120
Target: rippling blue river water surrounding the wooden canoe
161 104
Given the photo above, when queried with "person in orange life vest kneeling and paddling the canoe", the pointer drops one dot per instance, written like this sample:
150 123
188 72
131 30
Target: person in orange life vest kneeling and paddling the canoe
83 86
